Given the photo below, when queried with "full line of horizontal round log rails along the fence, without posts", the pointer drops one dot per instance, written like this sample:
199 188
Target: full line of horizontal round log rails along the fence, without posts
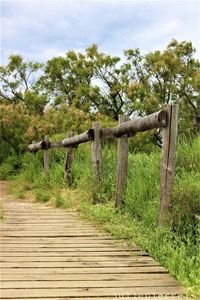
139 124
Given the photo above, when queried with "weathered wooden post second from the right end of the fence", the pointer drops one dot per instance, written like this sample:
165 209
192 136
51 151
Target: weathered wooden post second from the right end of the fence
122 165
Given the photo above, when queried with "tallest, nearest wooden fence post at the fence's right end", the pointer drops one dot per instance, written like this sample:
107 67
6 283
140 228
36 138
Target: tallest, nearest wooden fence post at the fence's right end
168 161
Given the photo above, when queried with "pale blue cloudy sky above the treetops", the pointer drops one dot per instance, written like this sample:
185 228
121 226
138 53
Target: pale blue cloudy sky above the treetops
40 30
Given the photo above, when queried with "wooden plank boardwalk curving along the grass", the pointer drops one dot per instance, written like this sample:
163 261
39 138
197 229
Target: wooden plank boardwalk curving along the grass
49 253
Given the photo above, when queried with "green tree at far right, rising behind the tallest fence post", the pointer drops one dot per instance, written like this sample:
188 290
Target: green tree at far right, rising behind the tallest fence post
171 76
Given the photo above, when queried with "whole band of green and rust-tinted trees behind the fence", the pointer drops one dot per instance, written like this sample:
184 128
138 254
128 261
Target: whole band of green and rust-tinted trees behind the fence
93 83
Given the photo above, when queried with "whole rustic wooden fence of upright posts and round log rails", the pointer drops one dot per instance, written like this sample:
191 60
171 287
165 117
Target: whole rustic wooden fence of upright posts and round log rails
166 119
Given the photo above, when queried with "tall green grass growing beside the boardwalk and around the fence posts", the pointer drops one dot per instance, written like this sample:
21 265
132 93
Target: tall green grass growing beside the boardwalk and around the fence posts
176 246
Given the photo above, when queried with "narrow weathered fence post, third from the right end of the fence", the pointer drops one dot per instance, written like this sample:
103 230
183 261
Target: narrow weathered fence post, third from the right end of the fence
96 159
